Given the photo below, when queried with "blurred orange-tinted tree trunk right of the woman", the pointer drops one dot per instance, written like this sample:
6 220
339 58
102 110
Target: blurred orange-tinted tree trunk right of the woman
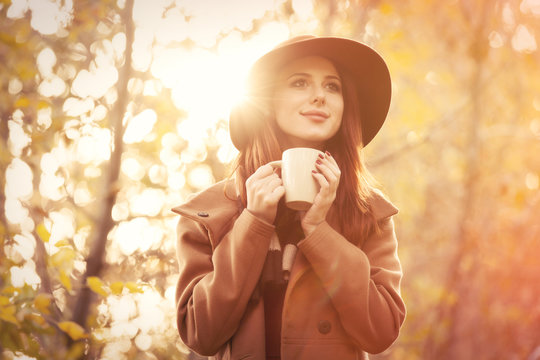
458 342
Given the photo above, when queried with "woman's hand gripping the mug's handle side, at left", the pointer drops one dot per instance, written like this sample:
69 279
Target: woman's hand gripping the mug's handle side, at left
264 189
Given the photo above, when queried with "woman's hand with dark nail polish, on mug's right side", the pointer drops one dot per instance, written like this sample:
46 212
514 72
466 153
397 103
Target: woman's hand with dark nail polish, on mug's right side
327 175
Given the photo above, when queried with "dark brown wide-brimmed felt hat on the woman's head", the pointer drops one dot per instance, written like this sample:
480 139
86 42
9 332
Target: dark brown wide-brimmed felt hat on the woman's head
365 67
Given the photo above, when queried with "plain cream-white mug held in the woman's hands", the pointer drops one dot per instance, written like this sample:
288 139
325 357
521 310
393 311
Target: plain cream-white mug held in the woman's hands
300 186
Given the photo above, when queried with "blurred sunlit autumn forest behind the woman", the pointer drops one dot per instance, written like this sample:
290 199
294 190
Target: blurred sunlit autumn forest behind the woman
112 112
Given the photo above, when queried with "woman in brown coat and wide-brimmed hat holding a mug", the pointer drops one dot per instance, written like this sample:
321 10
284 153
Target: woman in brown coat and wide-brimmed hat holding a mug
236 297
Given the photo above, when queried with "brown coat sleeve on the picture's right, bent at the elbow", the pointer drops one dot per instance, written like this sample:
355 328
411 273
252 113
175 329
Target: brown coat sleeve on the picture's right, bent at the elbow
363 284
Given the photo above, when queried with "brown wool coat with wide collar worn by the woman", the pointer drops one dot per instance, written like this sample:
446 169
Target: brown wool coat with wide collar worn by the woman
341 301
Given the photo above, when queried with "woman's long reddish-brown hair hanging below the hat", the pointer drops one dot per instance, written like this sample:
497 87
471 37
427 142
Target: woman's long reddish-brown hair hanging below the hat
356 183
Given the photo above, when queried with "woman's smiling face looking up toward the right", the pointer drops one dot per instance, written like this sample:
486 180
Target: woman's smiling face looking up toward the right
308 102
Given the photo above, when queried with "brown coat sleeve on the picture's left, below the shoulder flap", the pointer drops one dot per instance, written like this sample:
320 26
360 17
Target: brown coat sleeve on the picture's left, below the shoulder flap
215 285
